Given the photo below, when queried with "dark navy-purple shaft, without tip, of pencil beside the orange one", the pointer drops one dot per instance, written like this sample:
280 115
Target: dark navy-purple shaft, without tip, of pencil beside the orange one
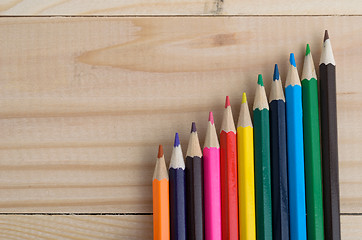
177 203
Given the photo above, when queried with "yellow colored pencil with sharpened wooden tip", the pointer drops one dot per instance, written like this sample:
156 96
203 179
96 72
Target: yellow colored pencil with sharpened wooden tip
245 143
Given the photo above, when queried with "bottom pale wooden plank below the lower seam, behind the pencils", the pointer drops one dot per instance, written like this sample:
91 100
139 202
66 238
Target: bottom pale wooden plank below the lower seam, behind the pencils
107 227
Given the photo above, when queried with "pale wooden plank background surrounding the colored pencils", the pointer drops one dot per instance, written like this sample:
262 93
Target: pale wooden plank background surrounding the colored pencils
84 100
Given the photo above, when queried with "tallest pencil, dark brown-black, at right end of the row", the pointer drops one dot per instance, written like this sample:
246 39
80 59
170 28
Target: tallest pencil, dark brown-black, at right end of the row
327 71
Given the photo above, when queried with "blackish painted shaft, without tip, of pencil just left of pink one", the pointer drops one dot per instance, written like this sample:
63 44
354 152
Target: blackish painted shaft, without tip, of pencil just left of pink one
194 196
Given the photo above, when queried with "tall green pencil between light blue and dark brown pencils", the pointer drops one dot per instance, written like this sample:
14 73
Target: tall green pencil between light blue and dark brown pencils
312 151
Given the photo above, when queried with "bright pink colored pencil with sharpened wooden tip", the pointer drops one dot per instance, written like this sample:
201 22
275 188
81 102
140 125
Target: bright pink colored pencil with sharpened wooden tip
212 182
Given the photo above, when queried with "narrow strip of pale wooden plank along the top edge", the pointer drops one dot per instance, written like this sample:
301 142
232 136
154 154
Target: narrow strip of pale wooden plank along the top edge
181 7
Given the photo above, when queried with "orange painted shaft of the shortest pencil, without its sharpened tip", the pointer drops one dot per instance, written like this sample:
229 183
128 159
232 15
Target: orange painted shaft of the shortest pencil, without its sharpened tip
161 209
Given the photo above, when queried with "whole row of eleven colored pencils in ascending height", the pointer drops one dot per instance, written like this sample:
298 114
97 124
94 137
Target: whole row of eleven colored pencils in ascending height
264 180
